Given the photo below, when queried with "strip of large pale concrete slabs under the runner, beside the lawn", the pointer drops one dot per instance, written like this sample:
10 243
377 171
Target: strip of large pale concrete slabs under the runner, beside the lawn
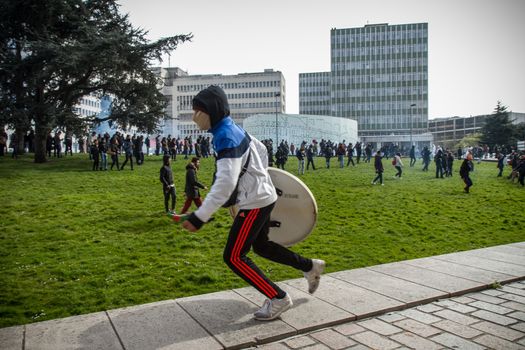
223 320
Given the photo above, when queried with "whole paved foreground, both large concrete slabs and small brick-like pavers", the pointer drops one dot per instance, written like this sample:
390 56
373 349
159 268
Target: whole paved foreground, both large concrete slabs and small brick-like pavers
440 302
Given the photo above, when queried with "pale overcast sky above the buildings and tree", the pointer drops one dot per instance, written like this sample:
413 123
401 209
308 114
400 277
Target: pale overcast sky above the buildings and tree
476 47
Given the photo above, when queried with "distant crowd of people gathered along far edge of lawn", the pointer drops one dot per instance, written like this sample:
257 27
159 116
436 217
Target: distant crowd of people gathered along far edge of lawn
104 147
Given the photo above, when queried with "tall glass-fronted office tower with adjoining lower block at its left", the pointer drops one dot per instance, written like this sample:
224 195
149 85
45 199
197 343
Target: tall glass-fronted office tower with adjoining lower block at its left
379 77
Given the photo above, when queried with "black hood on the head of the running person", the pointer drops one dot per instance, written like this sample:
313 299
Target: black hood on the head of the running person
214 102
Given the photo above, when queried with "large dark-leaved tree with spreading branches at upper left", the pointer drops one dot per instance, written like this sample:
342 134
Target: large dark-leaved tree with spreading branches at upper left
54 52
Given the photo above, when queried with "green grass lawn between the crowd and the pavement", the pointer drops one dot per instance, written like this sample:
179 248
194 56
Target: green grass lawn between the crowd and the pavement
74 241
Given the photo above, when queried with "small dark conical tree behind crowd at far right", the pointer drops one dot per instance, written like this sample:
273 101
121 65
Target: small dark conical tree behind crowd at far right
498 128
